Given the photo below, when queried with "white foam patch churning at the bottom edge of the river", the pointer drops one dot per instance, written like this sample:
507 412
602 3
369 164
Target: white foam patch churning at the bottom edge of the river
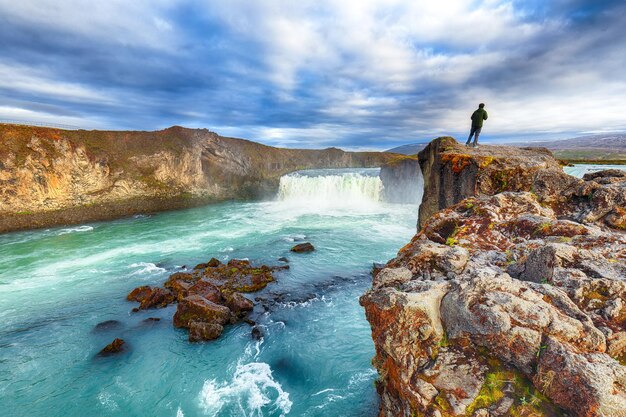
251 391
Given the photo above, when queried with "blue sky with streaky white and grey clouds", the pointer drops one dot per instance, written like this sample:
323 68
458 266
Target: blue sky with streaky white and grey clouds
355 74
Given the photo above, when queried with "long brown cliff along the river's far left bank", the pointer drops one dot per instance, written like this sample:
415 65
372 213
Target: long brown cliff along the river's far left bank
52 176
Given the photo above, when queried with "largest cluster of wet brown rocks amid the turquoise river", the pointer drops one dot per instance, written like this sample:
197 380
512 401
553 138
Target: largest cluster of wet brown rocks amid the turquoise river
209 297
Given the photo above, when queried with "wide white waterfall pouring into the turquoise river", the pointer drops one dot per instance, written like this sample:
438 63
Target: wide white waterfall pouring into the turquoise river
332 187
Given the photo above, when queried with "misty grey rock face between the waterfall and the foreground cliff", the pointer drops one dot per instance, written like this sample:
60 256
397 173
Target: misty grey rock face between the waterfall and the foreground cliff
402 180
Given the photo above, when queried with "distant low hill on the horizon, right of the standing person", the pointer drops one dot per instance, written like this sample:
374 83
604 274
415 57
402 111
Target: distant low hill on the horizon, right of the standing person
601 147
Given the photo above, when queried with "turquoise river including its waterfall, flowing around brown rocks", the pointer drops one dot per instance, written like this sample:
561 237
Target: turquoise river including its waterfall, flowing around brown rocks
314 357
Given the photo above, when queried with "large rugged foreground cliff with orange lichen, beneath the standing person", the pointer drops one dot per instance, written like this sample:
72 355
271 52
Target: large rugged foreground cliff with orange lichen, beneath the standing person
511 301
